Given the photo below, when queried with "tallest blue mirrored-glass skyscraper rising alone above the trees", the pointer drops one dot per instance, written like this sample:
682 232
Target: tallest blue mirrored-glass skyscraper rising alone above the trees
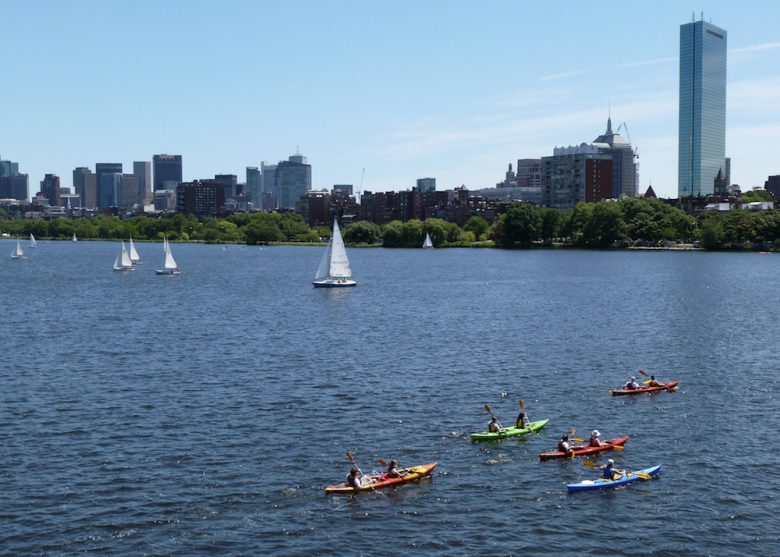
702 133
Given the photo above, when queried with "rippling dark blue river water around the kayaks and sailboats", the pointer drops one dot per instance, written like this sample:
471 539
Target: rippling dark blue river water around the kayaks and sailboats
203 414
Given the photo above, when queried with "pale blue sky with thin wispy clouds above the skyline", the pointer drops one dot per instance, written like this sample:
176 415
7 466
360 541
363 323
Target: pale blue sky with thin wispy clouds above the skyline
454 90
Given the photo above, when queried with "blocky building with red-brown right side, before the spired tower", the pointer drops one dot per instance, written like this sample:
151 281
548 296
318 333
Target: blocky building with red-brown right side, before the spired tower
576 174
